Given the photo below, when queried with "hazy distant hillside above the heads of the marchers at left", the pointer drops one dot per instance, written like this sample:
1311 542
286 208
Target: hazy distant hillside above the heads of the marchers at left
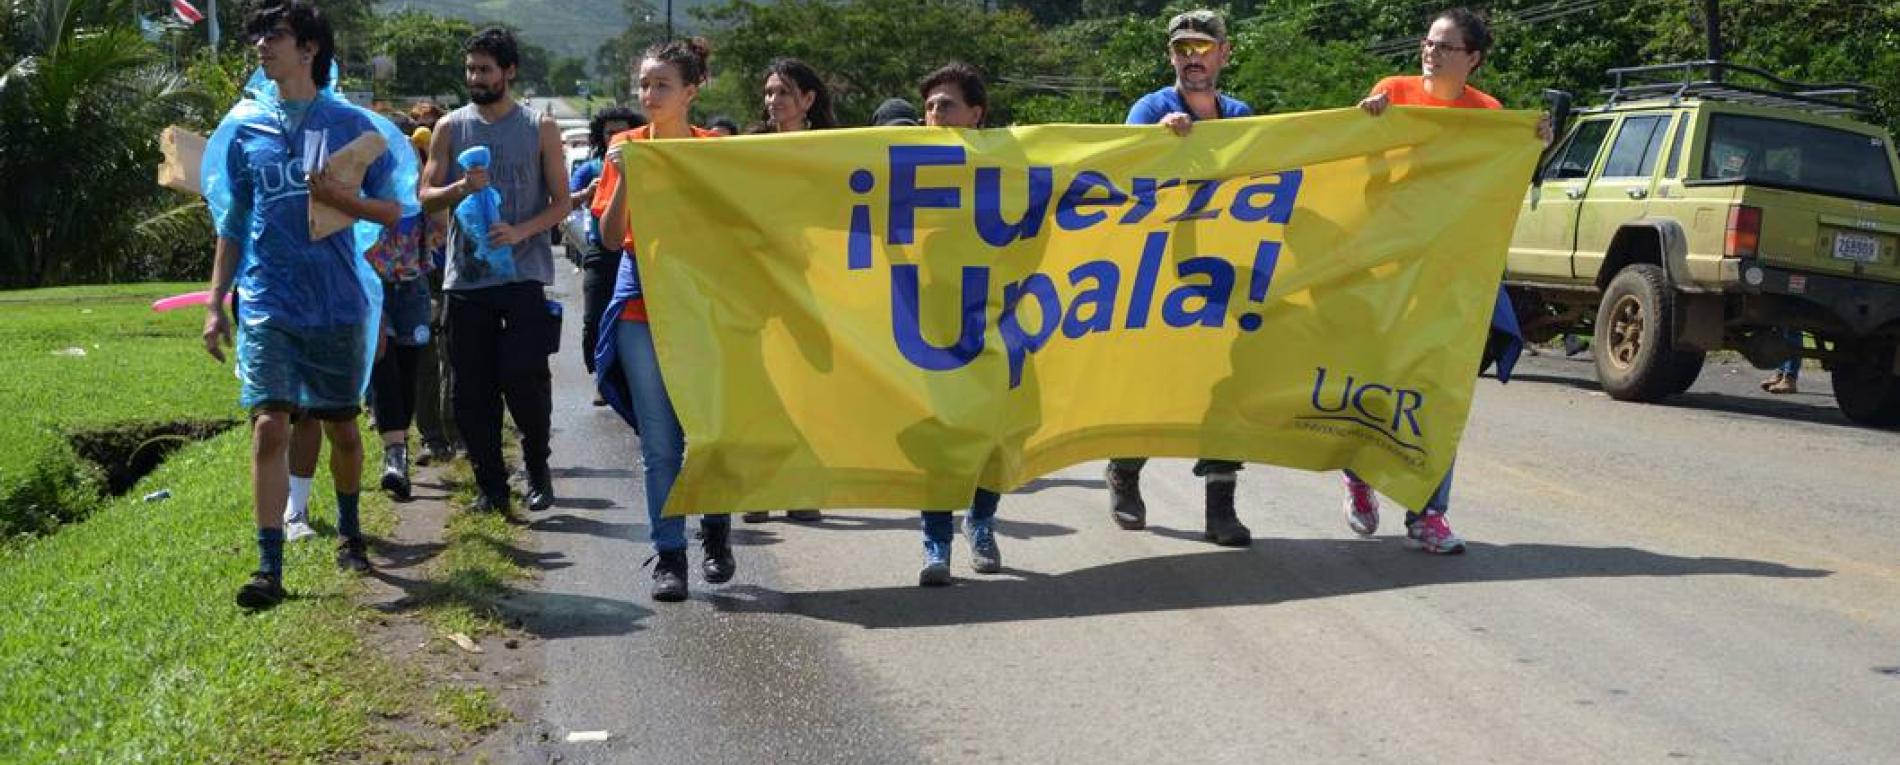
563 28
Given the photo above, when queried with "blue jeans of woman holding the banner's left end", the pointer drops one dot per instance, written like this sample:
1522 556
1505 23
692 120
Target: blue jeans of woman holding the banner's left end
662 441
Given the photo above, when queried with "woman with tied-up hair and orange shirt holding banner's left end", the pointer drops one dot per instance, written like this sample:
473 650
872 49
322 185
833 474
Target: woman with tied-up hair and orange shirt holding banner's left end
626 367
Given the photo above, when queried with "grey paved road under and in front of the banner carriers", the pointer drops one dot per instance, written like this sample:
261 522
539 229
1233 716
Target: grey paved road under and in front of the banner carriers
1705 582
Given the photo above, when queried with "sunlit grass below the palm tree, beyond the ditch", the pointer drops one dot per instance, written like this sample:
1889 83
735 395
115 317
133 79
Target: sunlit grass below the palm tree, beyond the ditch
92 360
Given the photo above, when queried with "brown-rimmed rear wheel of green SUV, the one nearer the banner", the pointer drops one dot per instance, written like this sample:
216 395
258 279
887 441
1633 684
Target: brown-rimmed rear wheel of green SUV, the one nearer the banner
1637 356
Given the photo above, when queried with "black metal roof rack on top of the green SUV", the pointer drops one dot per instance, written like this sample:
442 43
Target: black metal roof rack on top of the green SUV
1713 81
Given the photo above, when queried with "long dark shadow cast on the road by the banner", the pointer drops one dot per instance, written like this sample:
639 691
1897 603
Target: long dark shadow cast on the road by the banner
1272 572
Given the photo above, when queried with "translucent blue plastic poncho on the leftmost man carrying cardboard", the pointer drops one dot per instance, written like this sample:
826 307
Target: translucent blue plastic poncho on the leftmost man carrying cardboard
256 172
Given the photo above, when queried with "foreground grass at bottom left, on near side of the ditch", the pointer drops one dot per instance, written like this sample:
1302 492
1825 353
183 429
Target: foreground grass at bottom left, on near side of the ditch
123 643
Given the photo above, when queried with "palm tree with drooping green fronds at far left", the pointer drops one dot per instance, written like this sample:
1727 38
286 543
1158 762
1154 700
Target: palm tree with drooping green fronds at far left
83 100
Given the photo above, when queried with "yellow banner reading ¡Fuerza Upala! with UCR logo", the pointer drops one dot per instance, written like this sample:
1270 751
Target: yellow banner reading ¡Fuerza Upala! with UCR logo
892 318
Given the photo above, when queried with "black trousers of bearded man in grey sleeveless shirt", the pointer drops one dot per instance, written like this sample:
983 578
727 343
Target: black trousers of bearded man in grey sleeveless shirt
499 341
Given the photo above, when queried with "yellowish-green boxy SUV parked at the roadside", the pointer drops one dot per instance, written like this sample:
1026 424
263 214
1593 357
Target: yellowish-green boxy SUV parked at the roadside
1707 208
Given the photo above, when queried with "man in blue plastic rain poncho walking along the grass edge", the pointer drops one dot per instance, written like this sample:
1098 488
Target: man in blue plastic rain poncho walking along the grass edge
307 308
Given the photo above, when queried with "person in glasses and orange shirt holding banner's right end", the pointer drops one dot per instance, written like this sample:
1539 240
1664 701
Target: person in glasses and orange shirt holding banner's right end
1453 50
